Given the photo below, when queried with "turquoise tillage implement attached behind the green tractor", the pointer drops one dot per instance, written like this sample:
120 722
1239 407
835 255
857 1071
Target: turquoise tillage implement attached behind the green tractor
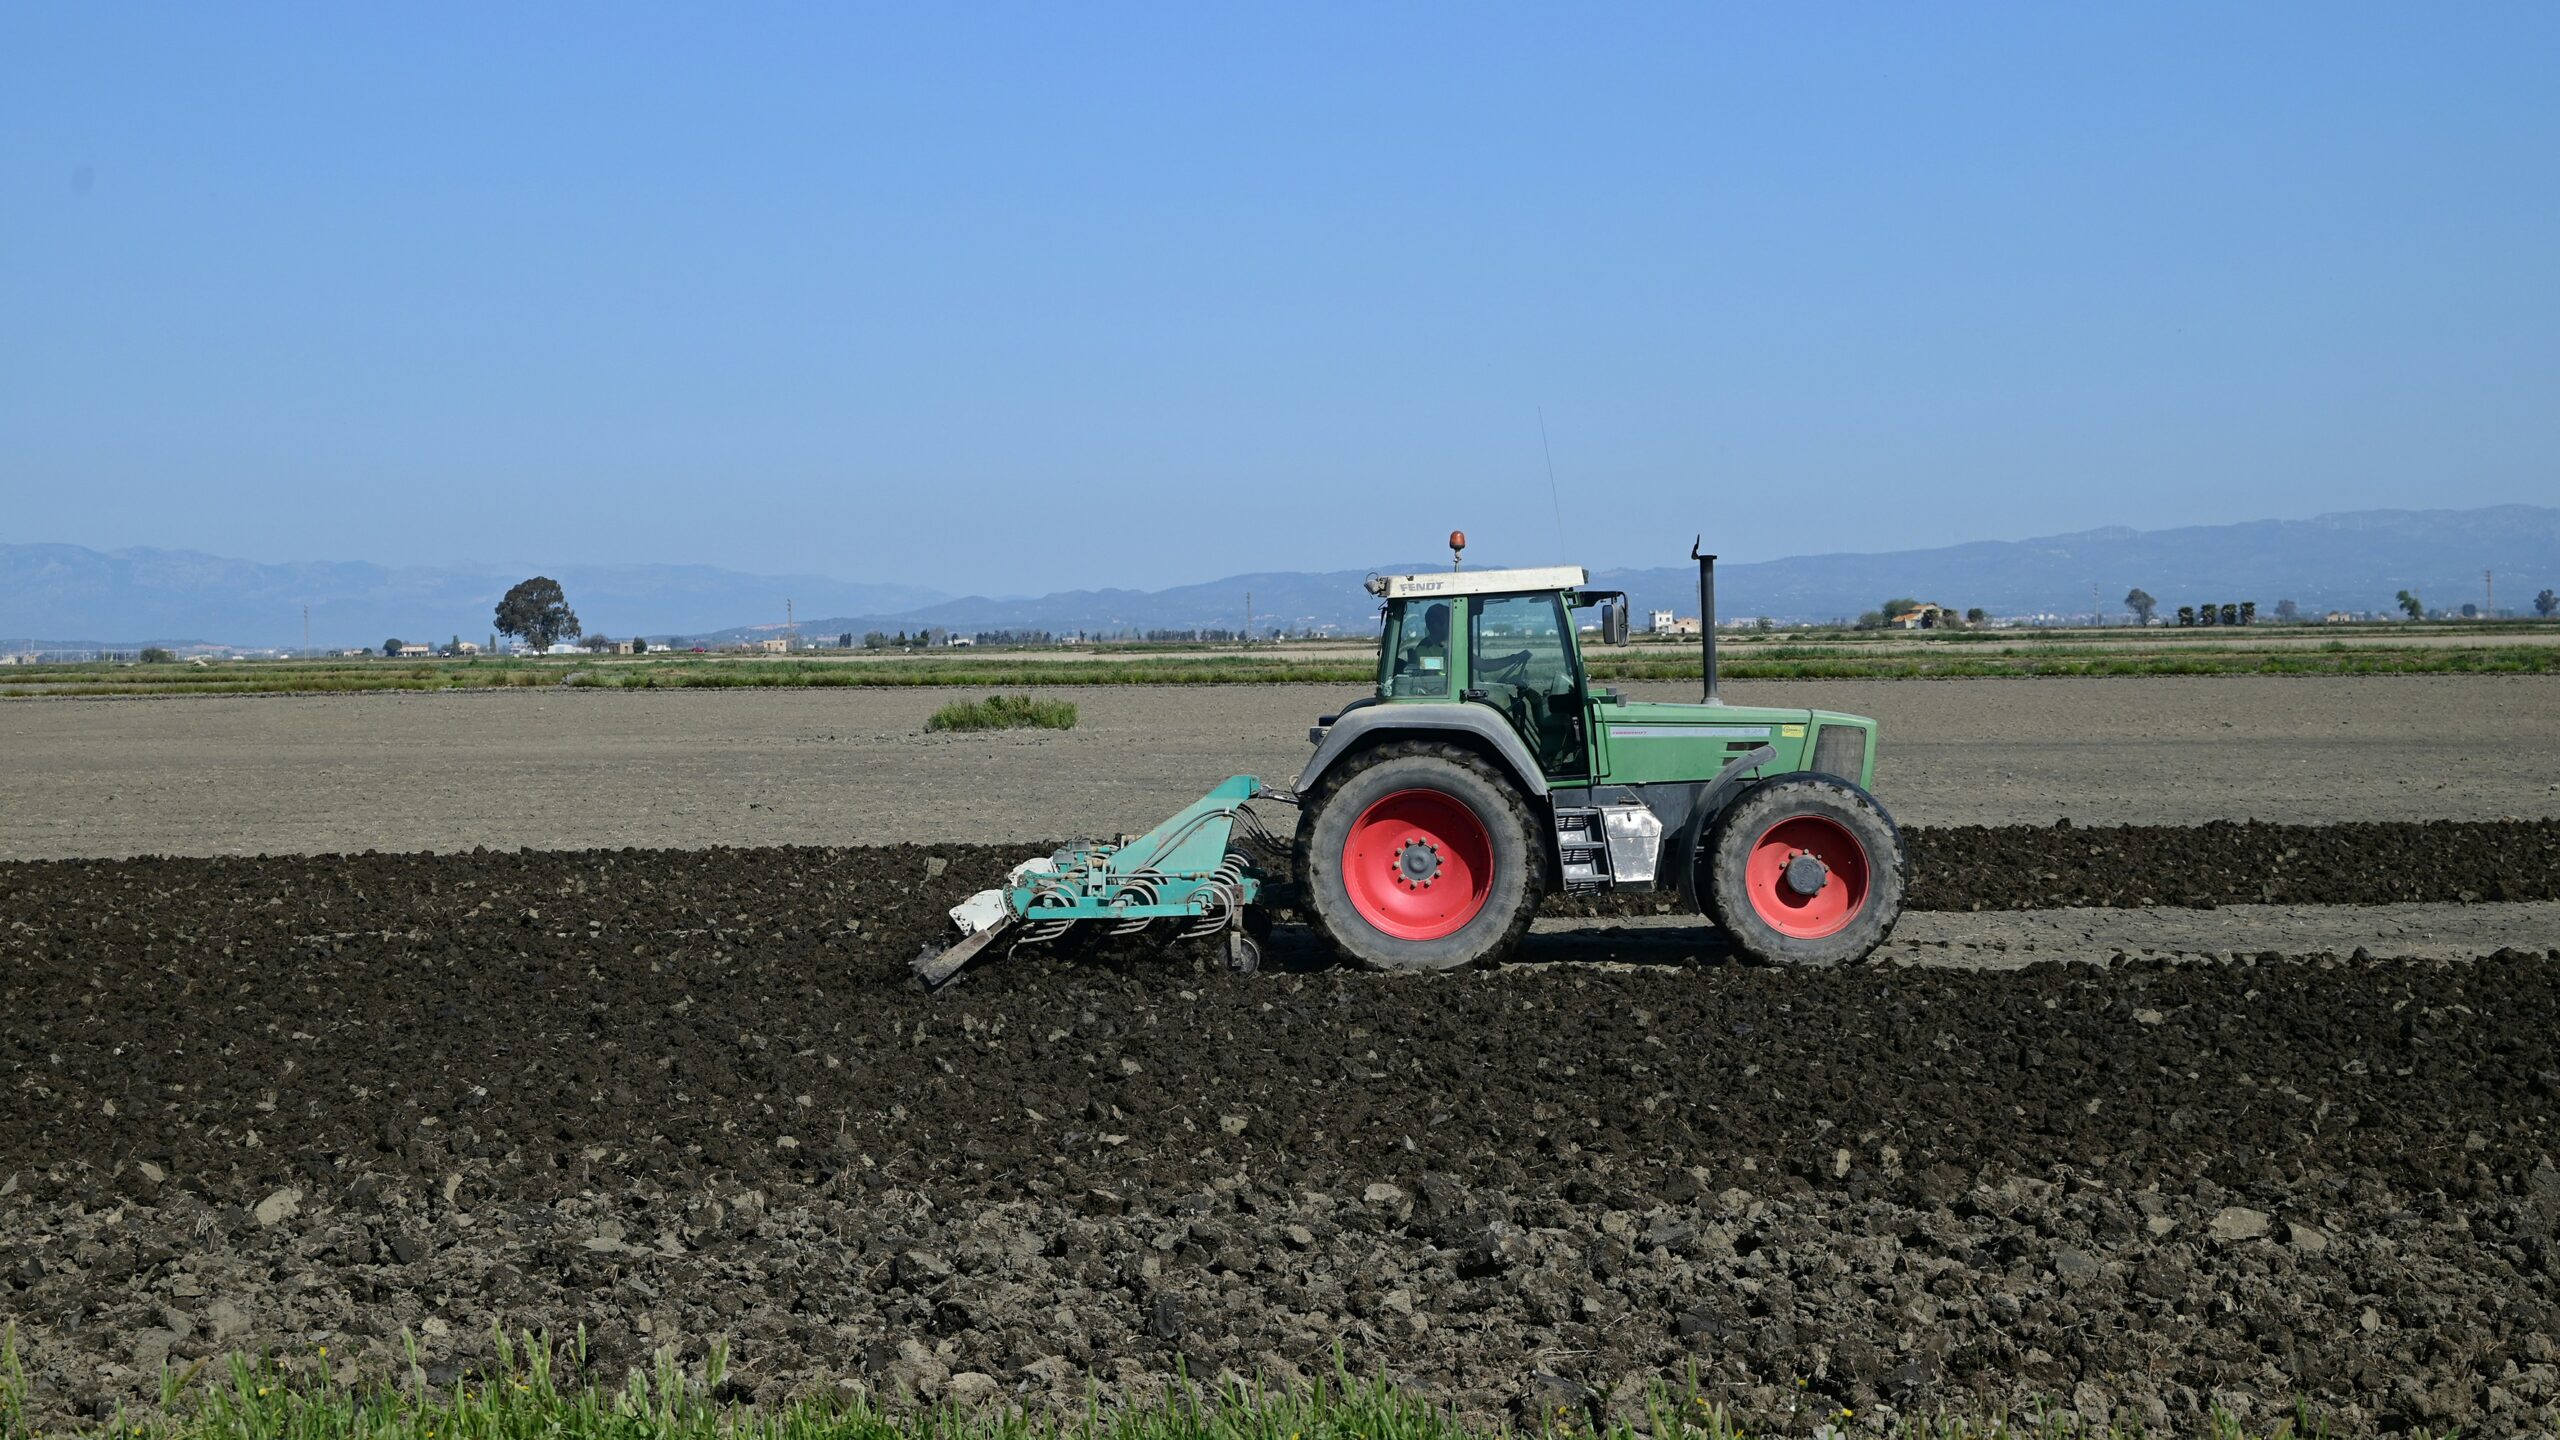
1181 875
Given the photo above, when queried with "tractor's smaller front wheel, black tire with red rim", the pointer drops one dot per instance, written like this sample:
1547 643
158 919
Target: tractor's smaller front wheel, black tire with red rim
1857 888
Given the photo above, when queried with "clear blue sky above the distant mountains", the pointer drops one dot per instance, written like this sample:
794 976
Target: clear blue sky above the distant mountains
1025 299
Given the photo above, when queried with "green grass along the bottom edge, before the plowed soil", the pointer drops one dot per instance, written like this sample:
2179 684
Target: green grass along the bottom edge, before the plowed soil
524 1400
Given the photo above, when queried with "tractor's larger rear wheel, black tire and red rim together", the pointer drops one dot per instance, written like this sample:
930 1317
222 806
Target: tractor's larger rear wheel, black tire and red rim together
1420 857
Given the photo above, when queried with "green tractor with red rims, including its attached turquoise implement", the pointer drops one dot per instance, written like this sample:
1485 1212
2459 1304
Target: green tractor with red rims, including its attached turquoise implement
1489 773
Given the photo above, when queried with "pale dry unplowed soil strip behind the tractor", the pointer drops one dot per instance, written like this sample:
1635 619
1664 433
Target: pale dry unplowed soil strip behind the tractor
698 767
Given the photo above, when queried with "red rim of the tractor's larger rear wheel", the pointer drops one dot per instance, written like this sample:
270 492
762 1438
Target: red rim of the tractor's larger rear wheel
1420 865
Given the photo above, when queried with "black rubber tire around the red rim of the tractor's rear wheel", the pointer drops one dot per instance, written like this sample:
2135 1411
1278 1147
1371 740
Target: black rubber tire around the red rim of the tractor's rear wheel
1353 788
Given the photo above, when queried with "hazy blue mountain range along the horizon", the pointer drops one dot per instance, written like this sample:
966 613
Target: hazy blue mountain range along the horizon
78 598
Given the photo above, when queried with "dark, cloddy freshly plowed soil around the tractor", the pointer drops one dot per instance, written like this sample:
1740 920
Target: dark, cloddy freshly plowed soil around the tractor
687 1095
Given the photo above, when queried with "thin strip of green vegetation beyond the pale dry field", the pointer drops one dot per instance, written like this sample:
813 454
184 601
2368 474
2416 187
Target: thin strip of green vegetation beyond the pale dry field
2505 650
